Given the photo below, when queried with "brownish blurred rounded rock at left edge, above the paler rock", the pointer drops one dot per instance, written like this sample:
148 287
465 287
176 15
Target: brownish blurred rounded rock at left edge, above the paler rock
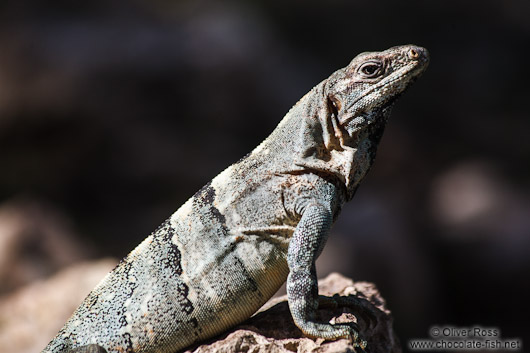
36 240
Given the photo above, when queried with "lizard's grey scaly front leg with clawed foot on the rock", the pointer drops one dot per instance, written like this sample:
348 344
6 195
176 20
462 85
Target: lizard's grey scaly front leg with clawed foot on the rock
302 286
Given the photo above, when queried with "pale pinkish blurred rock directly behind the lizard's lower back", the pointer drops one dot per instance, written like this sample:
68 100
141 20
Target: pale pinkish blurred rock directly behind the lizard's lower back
31 316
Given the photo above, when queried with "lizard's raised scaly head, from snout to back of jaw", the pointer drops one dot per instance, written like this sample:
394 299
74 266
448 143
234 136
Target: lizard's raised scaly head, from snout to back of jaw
362 93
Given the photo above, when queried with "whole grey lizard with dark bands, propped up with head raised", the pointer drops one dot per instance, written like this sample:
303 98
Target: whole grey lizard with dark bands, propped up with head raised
262 221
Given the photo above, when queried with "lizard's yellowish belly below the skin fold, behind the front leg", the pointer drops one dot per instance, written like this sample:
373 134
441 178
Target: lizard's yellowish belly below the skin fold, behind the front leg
230 279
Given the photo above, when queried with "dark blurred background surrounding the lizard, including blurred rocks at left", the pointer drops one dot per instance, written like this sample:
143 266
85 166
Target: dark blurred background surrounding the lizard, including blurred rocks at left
112 114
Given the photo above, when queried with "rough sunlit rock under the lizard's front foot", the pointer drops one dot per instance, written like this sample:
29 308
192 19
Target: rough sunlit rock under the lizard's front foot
272 329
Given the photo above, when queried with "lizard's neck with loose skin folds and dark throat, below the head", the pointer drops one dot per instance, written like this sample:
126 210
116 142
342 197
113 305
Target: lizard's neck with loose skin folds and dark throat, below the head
309 139
